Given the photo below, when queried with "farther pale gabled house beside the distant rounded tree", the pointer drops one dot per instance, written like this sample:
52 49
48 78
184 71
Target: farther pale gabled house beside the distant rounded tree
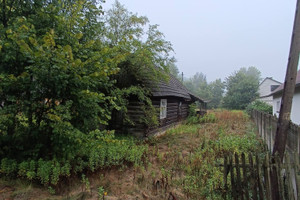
266 87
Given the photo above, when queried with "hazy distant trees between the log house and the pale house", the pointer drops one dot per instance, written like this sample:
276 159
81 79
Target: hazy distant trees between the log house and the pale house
241 88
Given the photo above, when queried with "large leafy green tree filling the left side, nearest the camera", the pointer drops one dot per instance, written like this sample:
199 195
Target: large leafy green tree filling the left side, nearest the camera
55 76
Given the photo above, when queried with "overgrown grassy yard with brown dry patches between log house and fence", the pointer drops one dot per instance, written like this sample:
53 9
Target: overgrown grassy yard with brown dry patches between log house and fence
184 163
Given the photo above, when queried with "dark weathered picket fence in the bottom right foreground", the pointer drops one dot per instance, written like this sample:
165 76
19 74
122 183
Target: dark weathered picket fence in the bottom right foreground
248 176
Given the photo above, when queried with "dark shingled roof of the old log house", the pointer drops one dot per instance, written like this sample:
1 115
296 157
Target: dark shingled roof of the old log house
173 87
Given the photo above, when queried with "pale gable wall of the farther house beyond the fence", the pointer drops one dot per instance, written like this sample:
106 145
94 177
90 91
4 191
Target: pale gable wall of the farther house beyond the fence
265 89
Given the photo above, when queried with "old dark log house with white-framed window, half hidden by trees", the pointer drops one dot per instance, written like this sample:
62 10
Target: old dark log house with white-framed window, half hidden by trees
171 100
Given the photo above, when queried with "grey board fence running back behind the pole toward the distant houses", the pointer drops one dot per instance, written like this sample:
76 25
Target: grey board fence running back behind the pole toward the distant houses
267 125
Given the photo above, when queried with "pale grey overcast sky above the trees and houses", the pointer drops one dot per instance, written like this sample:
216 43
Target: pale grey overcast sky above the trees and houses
217 37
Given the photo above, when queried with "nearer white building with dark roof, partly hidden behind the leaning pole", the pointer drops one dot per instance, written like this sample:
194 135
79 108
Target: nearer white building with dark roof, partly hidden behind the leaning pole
295 112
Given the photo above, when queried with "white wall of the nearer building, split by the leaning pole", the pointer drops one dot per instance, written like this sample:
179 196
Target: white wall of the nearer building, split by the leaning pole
295 112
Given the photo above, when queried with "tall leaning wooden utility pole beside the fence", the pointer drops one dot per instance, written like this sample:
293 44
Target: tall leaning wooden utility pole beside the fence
286 102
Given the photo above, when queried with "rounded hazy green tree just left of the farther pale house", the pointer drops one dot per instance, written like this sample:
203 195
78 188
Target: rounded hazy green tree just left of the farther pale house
242 88
